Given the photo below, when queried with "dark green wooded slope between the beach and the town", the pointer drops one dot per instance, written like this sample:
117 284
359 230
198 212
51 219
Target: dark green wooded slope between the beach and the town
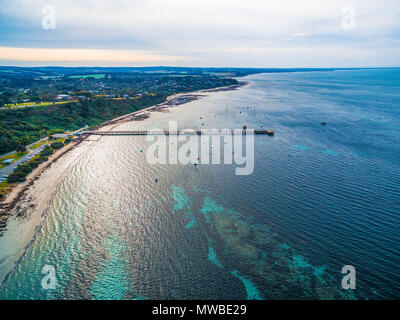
29 125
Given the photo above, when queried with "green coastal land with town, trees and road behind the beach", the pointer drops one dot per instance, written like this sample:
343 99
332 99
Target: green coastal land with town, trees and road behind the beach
44 110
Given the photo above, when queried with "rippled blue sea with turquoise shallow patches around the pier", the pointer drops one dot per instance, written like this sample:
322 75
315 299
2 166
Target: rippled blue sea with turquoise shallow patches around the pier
320 197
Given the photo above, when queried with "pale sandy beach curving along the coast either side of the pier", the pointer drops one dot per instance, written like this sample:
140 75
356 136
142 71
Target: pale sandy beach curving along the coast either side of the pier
24 210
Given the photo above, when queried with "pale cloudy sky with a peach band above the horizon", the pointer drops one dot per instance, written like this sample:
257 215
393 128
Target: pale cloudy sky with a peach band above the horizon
209 33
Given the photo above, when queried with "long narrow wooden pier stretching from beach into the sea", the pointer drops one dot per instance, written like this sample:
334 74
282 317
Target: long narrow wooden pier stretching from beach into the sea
223 132
